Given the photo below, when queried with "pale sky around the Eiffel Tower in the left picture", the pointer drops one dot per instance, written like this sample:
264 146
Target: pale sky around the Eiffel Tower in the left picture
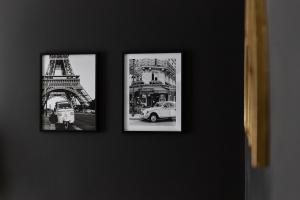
82 65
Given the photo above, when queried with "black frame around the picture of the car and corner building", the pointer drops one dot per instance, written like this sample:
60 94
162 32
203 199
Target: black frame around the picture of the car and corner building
181 131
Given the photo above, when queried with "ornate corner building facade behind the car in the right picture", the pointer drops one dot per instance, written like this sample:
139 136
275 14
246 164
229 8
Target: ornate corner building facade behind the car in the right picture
151 81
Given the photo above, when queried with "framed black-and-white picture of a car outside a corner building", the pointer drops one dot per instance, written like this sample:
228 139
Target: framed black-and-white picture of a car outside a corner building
152 92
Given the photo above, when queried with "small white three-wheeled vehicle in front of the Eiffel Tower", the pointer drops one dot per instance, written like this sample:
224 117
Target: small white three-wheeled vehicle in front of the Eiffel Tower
64 113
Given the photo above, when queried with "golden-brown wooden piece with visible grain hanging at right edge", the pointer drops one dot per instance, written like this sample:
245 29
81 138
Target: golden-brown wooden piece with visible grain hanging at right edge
256 82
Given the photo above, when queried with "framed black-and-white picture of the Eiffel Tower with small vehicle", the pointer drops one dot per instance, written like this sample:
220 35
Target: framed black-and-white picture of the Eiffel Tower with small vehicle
68 92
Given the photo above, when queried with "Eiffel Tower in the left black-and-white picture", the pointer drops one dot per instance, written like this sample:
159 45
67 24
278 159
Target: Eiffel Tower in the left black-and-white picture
60 80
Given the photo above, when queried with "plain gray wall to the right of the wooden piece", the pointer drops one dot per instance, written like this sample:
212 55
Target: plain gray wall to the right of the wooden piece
281 180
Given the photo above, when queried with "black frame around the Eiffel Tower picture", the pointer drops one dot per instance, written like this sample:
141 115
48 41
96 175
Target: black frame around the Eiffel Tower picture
97 67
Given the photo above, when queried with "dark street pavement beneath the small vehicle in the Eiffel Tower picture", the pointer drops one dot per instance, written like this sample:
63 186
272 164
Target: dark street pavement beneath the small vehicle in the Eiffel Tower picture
83 121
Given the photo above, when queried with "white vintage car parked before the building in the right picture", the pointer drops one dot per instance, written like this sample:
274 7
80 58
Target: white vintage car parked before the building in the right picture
161 110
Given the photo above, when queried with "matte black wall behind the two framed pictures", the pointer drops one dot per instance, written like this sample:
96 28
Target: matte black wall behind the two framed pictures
207 162
